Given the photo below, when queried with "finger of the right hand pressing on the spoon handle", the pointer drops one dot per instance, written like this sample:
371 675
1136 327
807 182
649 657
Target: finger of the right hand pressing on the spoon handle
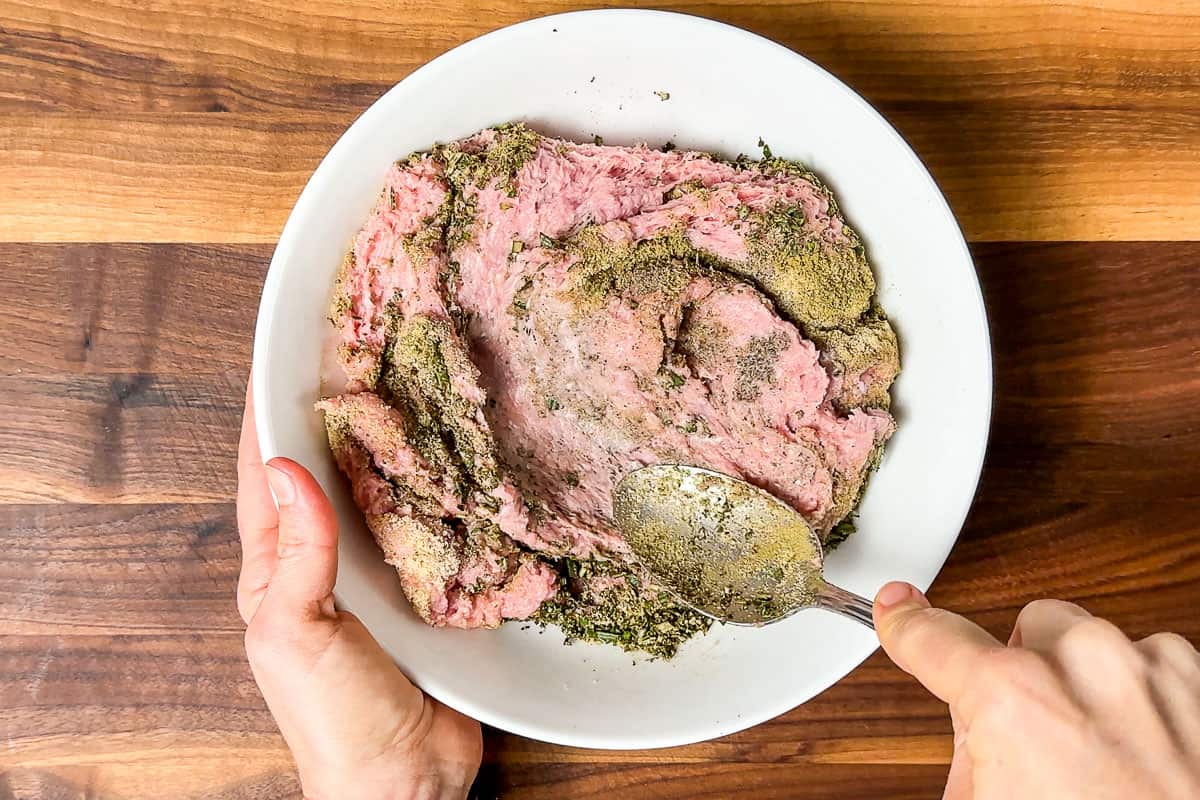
934 646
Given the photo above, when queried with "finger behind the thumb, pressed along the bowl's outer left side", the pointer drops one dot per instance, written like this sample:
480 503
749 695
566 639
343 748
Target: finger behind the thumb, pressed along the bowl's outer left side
257 518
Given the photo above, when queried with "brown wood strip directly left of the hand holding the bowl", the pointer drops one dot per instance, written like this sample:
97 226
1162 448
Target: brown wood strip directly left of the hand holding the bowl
95 570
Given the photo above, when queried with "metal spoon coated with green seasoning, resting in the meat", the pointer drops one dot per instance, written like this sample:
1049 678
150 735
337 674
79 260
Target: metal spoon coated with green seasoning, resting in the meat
727 549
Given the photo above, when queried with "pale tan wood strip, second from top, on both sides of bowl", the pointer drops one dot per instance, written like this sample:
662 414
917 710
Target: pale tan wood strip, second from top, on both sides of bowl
1013 176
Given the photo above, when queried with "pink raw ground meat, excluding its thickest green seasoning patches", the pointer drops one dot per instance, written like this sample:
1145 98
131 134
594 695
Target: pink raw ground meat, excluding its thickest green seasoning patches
574 395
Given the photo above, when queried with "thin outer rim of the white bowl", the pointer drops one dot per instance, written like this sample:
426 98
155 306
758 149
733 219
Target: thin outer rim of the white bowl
325 176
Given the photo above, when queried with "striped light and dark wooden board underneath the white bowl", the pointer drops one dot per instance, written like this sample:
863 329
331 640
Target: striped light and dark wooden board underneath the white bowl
149 154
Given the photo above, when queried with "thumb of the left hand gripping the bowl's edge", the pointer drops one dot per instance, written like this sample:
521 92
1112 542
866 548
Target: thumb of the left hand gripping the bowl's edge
307 569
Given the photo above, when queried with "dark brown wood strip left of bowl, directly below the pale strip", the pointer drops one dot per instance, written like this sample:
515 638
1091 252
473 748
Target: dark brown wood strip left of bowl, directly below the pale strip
127 309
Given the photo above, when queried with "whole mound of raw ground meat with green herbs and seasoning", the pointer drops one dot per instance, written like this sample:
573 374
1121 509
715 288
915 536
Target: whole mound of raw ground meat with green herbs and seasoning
523 321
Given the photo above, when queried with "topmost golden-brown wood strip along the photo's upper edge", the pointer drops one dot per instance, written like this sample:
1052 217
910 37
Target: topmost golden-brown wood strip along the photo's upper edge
269 56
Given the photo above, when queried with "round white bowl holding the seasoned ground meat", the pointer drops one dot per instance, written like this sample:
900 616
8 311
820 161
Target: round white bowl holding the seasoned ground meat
597 73
